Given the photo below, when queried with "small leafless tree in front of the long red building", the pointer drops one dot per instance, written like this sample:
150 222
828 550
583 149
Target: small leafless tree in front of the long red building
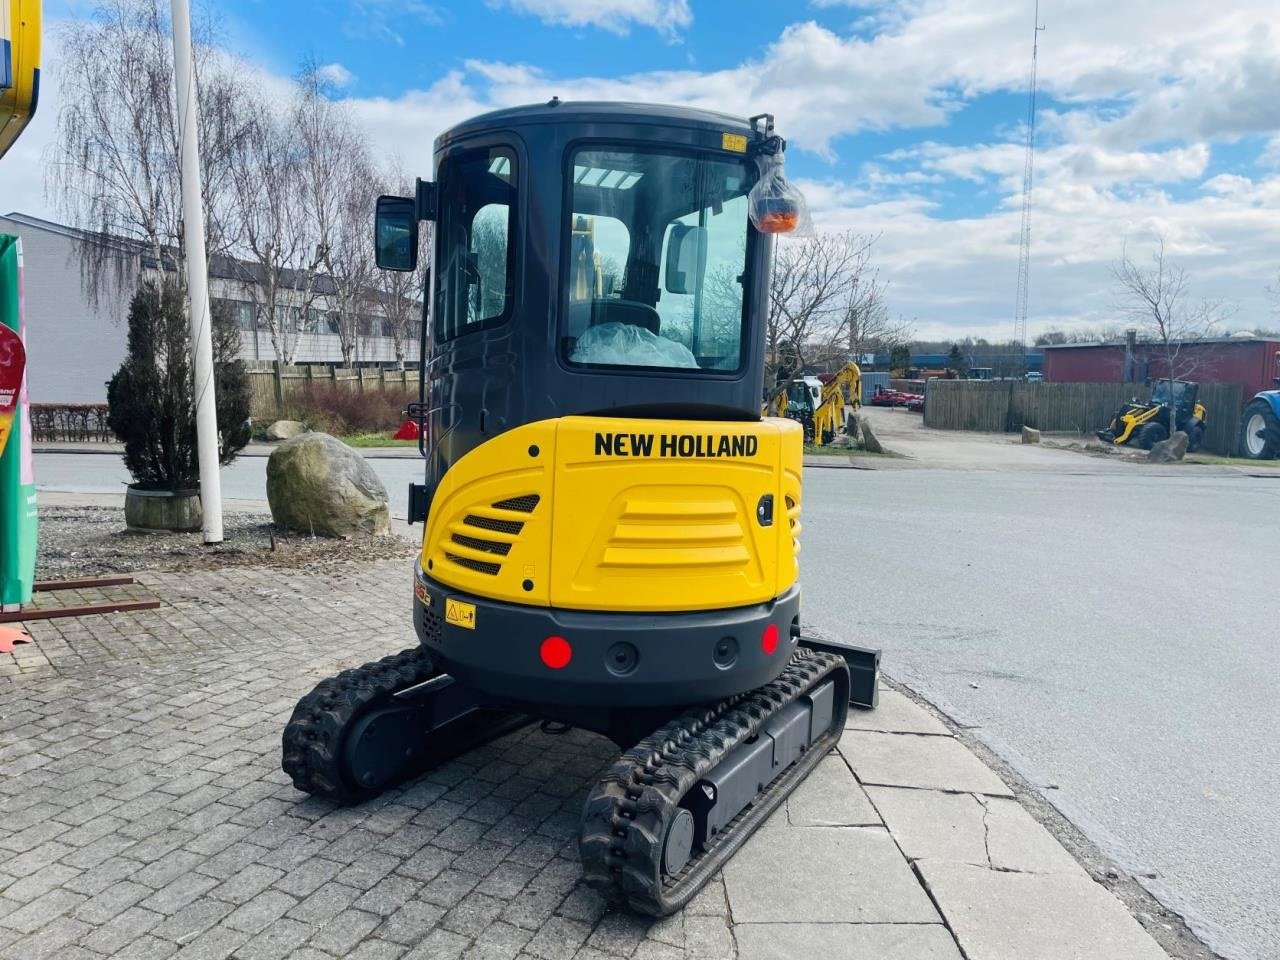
1156 301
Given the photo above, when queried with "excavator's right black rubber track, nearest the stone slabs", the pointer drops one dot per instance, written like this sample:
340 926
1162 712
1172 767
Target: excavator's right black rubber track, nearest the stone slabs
627 816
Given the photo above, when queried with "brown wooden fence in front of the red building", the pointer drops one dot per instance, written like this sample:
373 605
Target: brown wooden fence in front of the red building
1007 406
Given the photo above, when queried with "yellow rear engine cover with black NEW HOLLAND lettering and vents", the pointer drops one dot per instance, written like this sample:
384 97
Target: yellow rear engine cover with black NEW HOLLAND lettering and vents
604 514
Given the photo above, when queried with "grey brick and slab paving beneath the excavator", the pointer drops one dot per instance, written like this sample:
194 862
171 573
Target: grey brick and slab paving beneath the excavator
145 816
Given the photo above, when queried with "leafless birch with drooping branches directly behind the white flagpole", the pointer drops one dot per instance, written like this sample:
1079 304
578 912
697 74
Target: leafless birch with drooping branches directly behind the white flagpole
113 167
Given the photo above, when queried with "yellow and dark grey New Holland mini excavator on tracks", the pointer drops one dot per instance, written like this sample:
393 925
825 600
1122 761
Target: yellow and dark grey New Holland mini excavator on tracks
611 528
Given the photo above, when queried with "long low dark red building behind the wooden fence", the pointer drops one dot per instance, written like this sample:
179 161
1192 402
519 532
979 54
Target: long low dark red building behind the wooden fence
1255 364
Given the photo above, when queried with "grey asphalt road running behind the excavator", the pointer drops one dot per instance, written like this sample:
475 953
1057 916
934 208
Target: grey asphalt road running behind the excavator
1108 629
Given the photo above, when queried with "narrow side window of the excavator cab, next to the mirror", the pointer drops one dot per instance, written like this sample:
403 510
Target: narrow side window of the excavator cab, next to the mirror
476 241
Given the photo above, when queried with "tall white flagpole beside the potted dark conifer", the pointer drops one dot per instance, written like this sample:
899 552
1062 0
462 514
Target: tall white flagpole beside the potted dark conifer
198 277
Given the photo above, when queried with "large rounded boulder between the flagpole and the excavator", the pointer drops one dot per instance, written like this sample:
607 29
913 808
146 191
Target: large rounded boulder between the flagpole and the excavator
317 484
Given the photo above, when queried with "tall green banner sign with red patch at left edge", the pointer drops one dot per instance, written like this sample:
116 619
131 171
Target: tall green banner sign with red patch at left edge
17 474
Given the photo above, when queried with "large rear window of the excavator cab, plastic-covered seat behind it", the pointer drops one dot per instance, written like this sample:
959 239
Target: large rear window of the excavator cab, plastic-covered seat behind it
657 248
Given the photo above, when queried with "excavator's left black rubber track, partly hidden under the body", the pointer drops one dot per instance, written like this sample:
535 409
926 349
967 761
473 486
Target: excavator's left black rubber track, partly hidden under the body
314 737
